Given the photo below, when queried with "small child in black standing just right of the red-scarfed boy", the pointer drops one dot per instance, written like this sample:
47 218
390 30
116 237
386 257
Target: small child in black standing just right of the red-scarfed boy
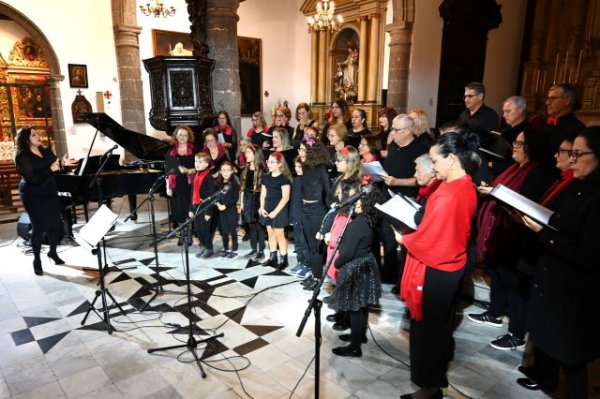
227 206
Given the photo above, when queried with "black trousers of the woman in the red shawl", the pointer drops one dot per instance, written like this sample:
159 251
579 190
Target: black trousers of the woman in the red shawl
431 341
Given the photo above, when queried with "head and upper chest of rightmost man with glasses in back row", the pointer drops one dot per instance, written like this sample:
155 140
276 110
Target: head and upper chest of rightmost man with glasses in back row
561 121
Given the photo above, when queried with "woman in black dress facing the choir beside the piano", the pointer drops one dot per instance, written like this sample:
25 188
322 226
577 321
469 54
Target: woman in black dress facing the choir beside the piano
37 189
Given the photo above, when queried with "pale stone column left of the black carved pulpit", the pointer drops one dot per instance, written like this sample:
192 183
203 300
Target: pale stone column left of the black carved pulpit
128 64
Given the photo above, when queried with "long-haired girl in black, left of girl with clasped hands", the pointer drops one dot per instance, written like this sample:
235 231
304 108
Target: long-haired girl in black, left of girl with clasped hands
251 177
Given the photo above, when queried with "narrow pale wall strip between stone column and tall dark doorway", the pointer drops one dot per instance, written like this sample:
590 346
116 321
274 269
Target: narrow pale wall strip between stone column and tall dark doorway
425 60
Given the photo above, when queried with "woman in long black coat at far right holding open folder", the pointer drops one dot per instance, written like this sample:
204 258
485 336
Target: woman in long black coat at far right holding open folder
563 323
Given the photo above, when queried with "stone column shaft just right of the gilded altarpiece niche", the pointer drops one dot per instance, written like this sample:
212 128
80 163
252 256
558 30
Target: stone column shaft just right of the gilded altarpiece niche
400 48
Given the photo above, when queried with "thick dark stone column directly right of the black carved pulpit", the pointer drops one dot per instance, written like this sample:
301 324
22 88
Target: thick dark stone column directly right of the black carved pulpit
221 31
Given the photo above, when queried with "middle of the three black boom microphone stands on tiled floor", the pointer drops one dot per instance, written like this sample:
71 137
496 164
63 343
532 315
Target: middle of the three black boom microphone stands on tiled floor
191 343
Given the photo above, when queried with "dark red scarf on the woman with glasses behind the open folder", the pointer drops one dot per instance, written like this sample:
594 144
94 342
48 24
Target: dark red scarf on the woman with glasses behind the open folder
495 225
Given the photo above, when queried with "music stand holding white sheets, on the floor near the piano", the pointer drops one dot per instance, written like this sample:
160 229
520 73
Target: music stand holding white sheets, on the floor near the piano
89 237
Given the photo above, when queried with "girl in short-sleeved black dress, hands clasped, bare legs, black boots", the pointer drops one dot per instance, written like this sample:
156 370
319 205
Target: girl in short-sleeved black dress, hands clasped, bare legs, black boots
274 197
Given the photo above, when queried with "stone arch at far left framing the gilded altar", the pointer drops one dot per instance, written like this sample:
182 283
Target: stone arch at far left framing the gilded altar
54 78
